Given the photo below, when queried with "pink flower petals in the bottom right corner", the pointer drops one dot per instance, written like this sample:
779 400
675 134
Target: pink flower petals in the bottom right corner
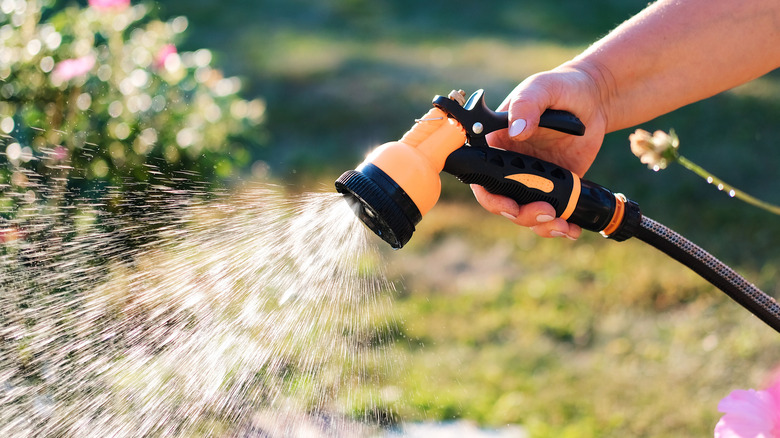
750 414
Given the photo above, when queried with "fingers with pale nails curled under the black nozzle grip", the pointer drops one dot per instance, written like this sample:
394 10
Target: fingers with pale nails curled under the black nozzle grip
539 216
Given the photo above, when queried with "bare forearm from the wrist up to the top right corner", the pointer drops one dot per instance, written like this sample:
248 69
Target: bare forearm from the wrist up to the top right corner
678 52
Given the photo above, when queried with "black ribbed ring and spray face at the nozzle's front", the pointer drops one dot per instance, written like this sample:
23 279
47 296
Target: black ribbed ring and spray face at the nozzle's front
380 203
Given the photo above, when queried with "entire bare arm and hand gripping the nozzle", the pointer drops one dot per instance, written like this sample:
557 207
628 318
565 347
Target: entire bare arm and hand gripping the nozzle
671 54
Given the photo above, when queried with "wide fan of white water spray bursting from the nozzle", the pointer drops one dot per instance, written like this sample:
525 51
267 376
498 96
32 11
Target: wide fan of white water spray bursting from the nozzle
184 327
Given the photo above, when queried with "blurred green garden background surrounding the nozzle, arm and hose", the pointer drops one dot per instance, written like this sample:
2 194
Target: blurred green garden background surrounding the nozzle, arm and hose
586 338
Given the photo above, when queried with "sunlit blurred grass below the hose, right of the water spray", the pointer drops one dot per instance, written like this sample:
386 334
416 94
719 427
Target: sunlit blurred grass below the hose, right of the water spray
613 339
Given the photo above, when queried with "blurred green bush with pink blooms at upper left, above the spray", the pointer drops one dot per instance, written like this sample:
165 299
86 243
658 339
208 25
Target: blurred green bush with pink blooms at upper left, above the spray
101 95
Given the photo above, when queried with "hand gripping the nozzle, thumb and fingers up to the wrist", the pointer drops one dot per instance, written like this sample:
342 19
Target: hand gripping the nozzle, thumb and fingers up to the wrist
566 88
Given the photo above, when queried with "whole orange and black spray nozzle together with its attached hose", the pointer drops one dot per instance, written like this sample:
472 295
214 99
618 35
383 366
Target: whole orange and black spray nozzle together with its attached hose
398 183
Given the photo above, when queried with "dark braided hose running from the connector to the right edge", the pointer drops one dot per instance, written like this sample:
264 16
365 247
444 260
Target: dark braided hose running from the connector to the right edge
710 268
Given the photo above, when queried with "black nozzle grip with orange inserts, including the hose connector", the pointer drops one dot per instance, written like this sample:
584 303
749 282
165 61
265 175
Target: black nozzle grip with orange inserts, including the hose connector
527 179
